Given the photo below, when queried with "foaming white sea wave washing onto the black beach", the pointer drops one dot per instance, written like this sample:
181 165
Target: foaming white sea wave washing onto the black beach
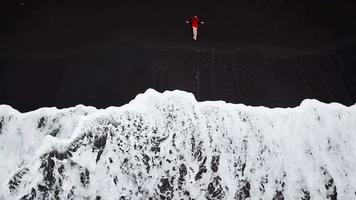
157 144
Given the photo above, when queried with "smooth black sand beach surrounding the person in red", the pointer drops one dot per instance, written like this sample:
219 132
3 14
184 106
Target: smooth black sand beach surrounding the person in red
266 52
